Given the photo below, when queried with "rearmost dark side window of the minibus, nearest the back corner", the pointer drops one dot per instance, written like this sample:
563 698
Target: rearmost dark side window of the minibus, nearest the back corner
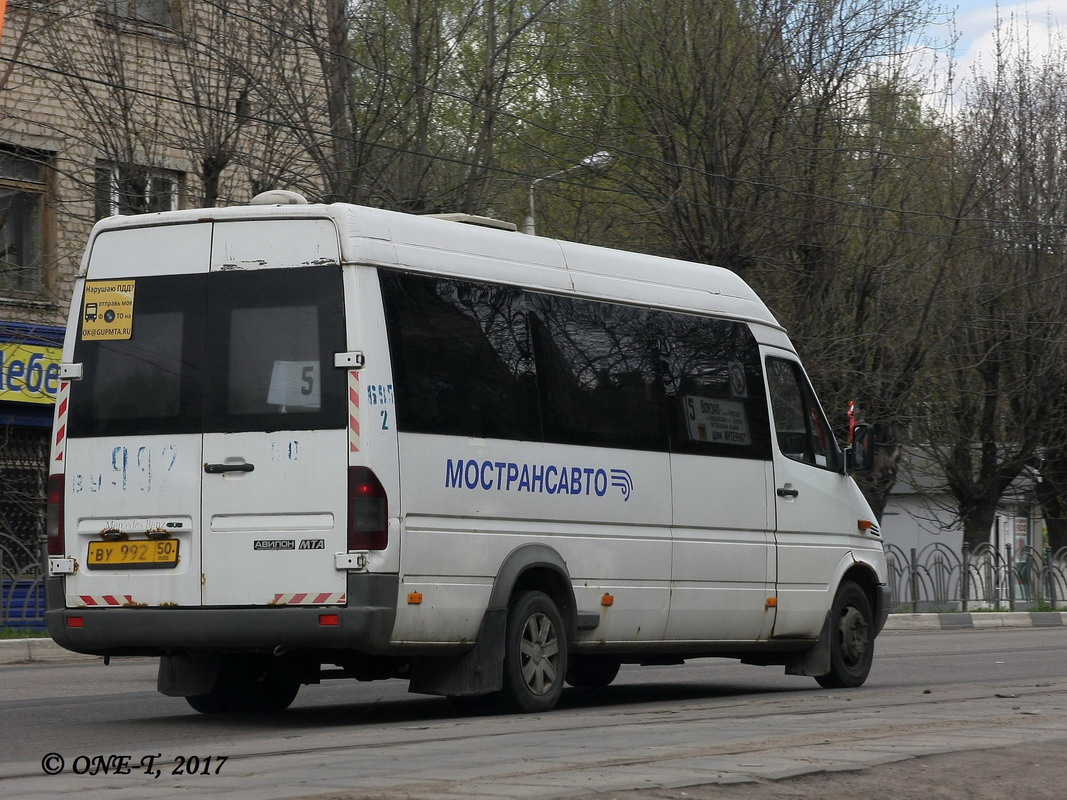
461 358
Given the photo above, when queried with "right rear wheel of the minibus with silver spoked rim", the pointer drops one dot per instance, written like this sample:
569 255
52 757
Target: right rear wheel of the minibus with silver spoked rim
535 654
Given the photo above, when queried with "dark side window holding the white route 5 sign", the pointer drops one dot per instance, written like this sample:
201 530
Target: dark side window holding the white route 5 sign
714 387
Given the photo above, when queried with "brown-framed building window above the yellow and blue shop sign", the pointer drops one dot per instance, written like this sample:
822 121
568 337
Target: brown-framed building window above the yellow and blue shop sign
22 221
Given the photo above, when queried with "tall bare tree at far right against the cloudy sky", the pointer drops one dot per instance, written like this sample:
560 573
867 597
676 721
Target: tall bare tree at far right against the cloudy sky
995 409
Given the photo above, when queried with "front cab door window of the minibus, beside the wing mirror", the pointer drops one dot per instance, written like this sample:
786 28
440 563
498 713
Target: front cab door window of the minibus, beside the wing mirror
801 429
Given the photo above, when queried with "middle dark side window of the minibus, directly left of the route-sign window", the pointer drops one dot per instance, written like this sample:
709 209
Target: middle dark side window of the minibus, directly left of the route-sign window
598 374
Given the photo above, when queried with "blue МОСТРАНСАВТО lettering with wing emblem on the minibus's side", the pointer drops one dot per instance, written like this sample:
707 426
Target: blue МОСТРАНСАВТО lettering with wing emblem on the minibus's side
508 476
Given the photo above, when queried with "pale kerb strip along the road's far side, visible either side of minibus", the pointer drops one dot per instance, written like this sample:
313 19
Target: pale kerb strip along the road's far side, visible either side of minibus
45 651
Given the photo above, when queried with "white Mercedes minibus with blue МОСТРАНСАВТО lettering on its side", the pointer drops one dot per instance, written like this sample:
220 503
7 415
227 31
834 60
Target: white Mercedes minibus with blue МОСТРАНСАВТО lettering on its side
297 442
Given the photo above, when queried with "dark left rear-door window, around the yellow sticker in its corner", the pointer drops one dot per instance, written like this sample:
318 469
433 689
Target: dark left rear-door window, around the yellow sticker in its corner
153 381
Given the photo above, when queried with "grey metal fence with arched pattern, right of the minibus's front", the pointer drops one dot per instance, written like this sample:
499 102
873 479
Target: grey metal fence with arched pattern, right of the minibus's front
936 579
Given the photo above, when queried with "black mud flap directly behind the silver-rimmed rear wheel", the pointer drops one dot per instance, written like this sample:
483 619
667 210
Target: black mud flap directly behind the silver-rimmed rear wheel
479 671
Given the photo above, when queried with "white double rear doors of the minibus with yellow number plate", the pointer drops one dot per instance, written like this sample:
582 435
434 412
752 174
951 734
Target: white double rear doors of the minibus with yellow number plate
206 456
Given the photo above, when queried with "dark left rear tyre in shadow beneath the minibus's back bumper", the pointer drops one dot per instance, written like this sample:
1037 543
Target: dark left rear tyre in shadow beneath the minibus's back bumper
248 686
